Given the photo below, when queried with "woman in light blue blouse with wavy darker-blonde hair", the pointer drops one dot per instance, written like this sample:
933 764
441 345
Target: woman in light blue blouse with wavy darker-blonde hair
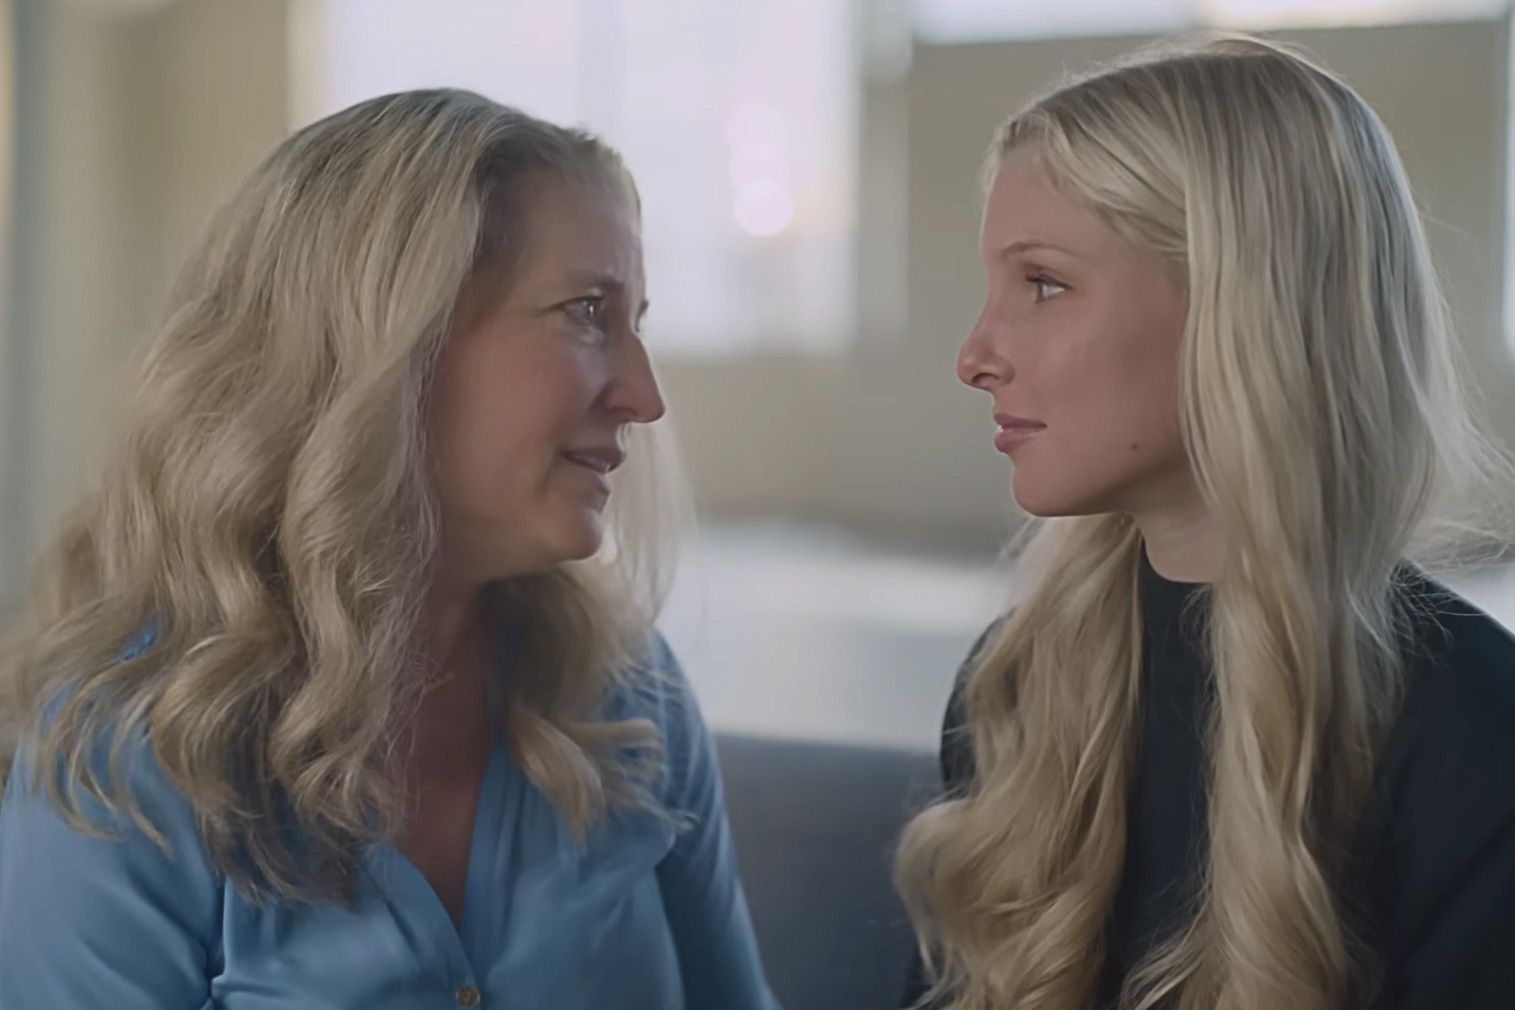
342 690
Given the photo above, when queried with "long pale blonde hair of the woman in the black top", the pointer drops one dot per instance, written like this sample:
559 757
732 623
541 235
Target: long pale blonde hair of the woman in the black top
1326 425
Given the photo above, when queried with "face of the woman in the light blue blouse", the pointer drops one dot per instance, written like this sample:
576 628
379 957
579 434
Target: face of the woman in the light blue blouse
537 385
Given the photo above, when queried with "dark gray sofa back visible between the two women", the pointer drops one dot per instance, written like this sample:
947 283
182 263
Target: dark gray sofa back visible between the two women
816 828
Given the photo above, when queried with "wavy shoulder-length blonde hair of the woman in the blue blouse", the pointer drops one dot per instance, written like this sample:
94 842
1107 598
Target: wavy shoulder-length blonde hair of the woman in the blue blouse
270 519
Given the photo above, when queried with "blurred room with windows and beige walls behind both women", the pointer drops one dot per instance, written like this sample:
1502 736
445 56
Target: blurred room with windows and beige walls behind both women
808 172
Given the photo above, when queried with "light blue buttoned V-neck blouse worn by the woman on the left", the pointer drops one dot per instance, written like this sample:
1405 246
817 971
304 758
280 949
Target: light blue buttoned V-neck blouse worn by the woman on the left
643 917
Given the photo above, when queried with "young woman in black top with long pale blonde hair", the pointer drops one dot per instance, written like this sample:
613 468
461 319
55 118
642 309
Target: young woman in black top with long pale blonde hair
1231 750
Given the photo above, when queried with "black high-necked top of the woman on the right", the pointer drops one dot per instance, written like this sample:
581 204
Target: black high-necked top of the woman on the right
1435 852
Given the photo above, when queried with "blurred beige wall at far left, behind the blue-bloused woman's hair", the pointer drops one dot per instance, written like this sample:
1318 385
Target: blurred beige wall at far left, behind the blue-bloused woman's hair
131 128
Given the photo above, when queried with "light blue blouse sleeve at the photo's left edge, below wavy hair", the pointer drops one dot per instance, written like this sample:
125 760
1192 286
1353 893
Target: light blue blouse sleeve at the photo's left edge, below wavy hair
116 905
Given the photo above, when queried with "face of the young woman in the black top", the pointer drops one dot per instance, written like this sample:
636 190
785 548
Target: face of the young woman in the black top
1078 344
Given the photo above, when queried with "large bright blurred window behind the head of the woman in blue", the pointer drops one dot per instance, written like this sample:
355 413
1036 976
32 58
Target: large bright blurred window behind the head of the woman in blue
739 120
